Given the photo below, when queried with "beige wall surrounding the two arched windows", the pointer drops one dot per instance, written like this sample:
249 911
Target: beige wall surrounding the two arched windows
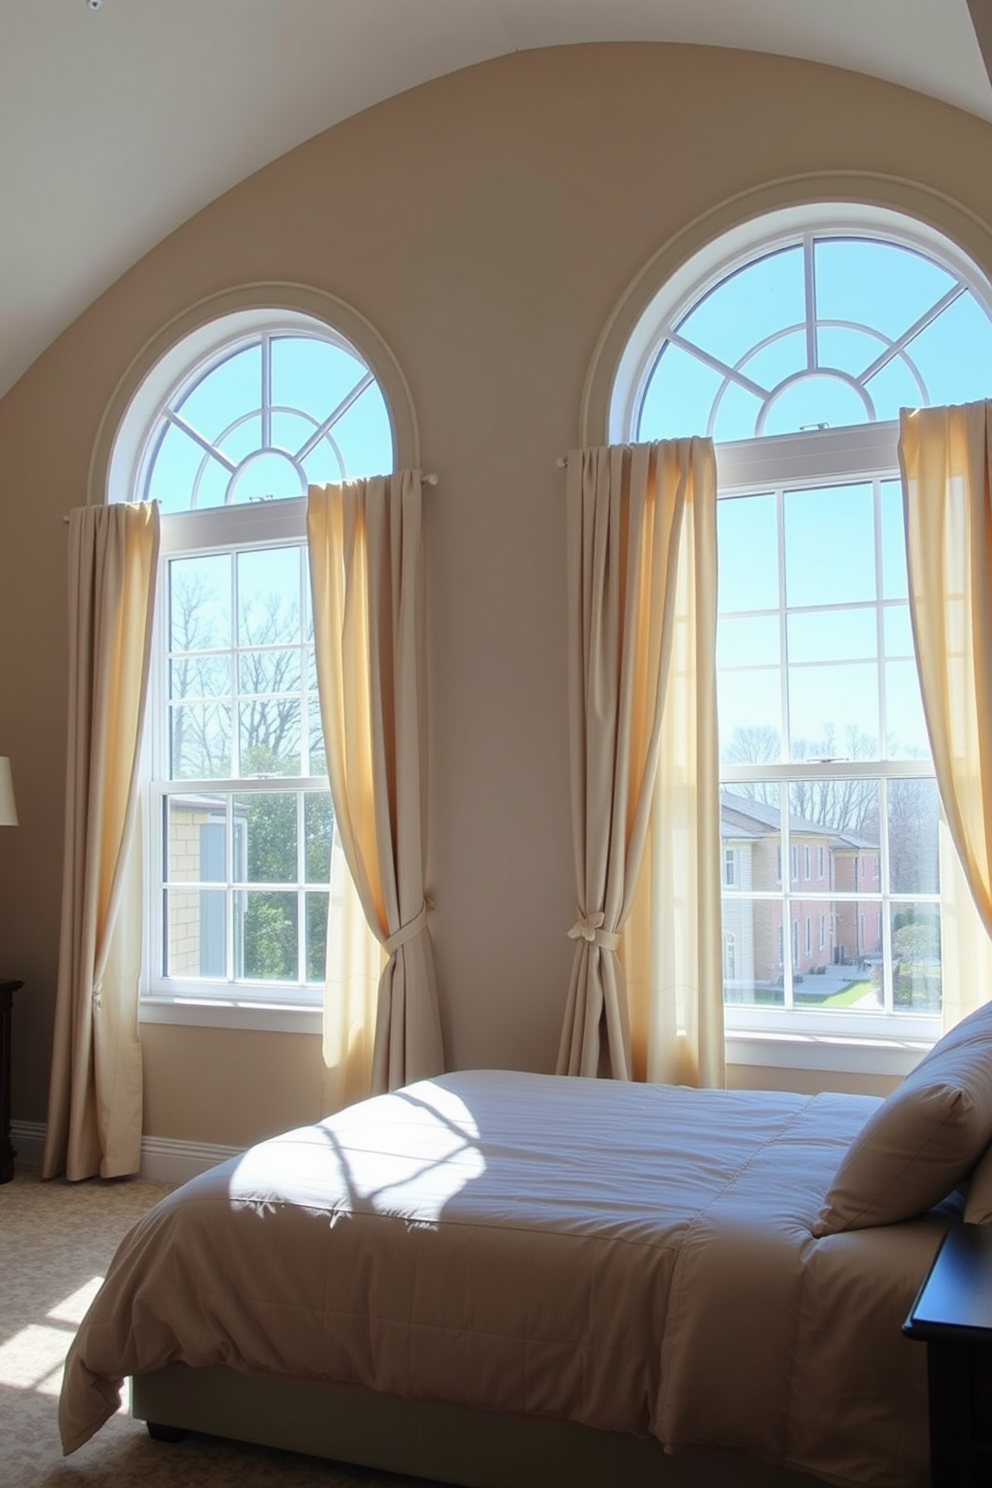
487 224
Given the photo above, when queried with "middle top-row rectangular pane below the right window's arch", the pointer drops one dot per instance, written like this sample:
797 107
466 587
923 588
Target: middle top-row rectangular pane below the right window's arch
829 545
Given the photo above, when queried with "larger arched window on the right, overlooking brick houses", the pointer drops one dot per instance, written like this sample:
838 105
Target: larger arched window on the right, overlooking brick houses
795 343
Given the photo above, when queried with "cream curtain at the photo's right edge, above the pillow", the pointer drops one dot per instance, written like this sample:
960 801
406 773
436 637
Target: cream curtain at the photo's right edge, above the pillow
947 464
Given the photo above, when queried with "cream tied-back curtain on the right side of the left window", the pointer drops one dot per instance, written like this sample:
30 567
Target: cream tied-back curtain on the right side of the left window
381 1022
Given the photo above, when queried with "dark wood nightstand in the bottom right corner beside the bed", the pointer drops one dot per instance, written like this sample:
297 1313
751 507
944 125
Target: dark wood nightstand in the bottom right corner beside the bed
954 1318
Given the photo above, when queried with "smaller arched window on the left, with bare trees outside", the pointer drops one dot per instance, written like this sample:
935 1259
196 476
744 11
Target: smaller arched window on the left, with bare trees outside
228 426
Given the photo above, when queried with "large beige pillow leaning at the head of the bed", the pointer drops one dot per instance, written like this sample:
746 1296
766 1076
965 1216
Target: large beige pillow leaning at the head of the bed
923 1141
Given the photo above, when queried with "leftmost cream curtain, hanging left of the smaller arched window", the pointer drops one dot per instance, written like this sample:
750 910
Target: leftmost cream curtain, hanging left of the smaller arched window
94 1115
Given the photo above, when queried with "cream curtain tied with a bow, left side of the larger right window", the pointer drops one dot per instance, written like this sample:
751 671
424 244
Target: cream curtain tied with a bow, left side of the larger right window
646 993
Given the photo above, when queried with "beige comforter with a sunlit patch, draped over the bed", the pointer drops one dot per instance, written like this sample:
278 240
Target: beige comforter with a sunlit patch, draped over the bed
634 1258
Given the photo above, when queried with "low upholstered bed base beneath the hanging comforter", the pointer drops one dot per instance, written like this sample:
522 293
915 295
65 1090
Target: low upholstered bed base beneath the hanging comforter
428 1440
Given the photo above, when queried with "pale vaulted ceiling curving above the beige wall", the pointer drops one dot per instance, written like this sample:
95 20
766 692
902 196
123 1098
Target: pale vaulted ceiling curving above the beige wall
123 118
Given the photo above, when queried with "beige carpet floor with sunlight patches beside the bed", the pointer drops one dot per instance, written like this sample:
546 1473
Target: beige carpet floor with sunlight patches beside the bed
56 1245
